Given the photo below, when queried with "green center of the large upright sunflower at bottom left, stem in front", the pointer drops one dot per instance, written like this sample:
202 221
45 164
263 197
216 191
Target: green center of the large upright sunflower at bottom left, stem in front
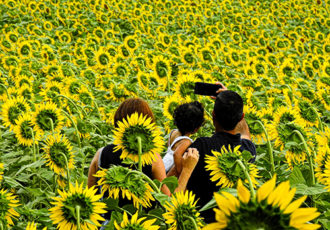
74 200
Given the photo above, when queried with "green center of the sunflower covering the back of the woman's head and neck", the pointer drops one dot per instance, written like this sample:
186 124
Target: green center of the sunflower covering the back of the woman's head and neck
130 135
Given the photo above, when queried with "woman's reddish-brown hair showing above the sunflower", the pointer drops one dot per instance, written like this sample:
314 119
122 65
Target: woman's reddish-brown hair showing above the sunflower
131 106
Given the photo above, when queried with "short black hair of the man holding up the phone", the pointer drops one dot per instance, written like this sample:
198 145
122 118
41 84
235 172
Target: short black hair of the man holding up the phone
228 109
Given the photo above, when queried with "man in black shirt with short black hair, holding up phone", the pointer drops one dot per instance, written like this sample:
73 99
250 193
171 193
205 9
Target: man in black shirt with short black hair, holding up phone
230 129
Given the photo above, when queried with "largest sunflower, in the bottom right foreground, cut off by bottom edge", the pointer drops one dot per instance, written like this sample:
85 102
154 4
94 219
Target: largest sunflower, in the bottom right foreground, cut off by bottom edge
272 209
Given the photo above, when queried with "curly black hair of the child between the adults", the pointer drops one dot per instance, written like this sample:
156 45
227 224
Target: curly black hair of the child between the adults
188 117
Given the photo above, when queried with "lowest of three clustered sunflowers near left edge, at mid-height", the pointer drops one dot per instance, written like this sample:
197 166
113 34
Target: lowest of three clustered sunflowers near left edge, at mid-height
24 129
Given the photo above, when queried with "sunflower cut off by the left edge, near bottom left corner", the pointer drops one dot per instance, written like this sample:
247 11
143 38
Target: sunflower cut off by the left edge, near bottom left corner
8 202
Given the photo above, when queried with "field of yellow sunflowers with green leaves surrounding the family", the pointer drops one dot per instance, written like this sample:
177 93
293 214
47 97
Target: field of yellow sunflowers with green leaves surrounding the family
66 65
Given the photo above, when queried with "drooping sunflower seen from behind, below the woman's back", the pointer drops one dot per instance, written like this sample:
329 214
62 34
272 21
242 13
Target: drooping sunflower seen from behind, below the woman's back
119 179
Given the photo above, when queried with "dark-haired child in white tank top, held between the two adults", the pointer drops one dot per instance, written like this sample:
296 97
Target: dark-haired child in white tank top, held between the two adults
188 117
